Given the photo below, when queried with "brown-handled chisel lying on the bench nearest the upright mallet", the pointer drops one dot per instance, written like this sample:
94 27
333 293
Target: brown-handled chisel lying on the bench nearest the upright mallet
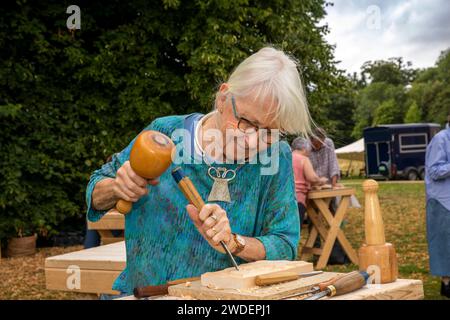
345 284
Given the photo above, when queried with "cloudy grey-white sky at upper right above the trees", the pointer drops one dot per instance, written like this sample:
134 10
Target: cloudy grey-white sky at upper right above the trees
362 30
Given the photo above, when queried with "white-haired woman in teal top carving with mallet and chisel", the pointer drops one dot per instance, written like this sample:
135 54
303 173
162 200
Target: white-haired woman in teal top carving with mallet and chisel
168 239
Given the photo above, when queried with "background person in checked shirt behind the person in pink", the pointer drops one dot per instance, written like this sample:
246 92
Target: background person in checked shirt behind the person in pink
323 157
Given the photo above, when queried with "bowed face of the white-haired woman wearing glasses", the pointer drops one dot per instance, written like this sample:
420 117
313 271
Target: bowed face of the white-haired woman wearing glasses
255 119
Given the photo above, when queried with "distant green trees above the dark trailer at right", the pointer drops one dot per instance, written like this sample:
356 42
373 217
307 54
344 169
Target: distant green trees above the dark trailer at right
394 92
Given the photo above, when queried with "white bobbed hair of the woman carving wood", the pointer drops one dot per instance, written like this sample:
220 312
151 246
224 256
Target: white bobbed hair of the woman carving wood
270 73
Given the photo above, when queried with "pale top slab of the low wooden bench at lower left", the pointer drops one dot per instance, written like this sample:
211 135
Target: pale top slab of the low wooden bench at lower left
110 257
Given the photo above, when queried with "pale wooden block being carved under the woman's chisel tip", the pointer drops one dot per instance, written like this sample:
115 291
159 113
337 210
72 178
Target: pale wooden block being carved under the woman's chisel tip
230 278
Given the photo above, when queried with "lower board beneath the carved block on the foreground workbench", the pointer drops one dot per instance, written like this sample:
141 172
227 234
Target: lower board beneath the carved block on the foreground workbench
197 291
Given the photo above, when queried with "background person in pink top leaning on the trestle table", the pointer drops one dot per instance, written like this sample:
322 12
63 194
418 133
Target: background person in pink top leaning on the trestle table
304 174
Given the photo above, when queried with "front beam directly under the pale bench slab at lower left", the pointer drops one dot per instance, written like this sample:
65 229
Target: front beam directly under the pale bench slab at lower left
90 281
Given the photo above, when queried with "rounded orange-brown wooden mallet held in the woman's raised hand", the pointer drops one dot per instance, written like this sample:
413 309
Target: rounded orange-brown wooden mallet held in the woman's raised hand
150 156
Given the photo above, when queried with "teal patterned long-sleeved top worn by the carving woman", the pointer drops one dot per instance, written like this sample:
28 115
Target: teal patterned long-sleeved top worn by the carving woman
162 243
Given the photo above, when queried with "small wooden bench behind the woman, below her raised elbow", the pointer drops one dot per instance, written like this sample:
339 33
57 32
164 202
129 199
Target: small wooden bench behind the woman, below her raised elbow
112 220
